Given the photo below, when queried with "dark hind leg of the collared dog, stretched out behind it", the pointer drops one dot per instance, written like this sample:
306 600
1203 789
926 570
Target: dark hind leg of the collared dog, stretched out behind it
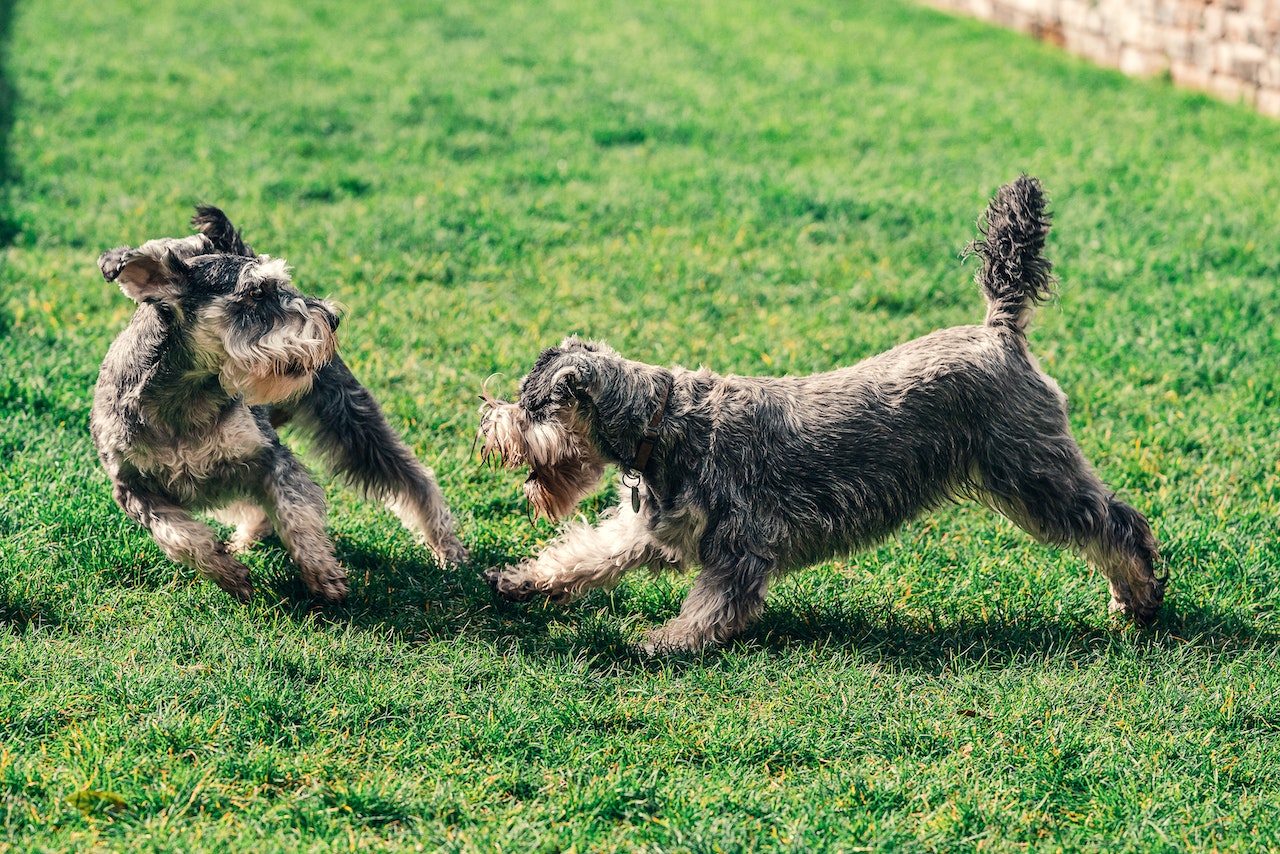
1050 491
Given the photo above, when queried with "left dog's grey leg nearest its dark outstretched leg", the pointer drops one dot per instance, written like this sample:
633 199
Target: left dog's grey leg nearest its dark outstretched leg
298 509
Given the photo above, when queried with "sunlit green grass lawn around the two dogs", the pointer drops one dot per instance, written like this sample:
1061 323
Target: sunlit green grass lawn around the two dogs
761 188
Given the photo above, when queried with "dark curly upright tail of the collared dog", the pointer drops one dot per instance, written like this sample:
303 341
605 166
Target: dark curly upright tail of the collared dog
1016 276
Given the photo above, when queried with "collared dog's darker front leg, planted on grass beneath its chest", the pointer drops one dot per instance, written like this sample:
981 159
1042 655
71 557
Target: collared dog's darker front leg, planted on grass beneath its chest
726 597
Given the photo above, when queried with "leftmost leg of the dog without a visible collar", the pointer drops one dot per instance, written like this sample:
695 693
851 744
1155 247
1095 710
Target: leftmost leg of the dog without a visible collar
186 541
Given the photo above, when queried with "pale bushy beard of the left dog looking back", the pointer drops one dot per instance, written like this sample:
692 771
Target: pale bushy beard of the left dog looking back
282 364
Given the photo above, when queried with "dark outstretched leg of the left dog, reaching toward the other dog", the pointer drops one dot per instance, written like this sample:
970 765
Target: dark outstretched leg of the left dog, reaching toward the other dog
363 449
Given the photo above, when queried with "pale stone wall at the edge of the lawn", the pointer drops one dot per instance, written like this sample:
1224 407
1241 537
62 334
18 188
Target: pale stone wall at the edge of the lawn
1229 48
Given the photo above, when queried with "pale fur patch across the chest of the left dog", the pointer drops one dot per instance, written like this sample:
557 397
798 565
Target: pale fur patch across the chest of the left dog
209 454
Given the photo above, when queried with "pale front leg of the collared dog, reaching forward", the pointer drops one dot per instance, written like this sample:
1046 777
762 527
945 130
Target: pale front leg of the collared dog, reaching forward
580 560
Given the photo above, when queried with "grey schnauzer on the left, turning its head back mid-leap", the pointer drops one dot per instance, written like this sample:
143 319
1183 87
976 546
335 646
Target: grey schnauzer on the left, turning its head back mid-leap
221 351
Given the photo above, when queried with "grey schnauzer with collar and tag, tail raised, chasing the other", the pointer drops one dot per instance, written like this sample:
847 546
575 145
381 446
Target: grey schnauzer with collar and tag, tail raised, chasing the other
753 477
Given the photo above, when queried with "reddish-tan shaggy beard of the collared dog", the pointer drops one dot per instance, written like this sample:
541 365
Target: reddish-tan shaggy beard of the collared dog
564 465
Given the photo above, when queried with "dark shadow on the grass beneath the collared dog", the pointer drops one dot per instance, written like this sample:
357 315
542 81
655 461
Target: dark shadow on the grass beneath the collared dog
419 602
